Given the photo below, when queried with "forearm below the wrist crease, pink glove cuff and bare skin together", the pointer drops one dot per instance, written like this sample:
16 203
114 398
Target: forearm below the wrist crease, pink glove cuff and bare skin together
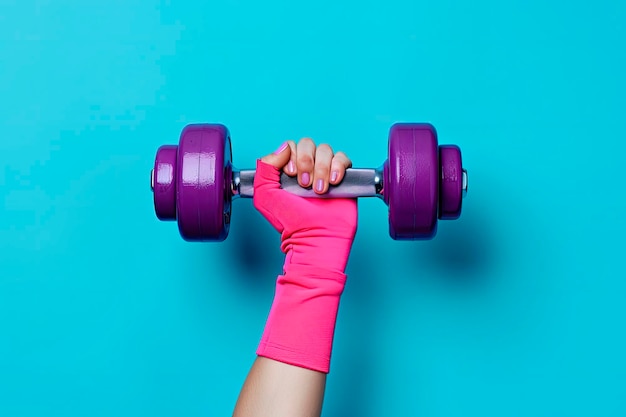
289 376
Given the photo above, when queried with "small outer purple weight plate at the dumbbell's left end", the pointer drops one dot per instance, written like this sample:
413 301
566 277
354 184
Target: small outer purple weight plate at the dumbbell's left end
164 183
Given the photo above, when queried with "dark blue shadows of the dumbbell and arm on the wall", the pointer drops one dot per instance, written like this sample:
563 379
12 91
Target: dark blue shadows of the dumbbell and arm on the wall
462 255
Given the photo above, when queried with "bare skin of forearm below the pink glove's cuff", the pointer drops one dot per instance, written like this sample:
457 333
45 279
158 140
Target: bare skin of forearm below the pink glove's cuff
276 389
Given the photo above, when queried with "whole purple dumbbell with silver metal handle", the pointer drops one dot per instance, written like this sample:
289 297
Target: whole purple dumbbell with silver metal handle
421 182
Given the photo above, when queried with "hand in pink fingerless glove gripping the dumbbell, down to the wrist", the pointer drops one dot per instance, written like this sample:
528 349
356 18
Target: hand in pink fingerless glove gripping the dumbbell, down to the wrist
312 225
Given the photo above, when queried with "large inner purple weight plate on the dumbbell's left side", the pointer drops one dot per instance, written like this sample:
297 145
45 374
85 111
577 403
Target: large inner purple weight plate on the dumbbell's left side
204 164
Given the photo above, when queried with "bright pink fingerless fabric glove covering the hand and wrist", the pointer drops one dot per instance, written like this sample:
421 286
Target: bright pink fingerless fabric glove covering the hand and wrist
317 236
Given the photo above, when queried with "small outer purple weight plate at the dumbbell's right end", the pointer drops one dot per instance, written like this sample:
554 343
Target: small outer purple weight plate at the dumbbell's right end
450 182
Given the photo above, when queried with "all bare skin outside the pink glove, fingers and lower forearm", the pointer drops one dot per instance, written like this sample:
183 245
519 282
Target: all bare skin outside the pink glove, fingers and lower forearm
272 388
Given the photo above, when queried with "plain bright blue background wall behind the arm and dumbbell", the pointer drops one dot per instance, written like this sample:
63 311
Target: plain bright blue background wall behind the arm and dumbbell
516 309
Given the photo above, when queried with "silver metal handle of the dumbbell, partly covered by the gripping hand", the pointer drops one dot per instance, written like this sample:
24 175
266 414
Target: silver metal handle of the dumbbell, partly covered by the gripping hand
357 182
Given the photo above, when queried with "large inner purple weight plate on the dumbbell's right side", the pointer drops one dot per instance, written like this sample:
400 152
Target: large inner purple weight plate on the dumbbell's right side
411 181
